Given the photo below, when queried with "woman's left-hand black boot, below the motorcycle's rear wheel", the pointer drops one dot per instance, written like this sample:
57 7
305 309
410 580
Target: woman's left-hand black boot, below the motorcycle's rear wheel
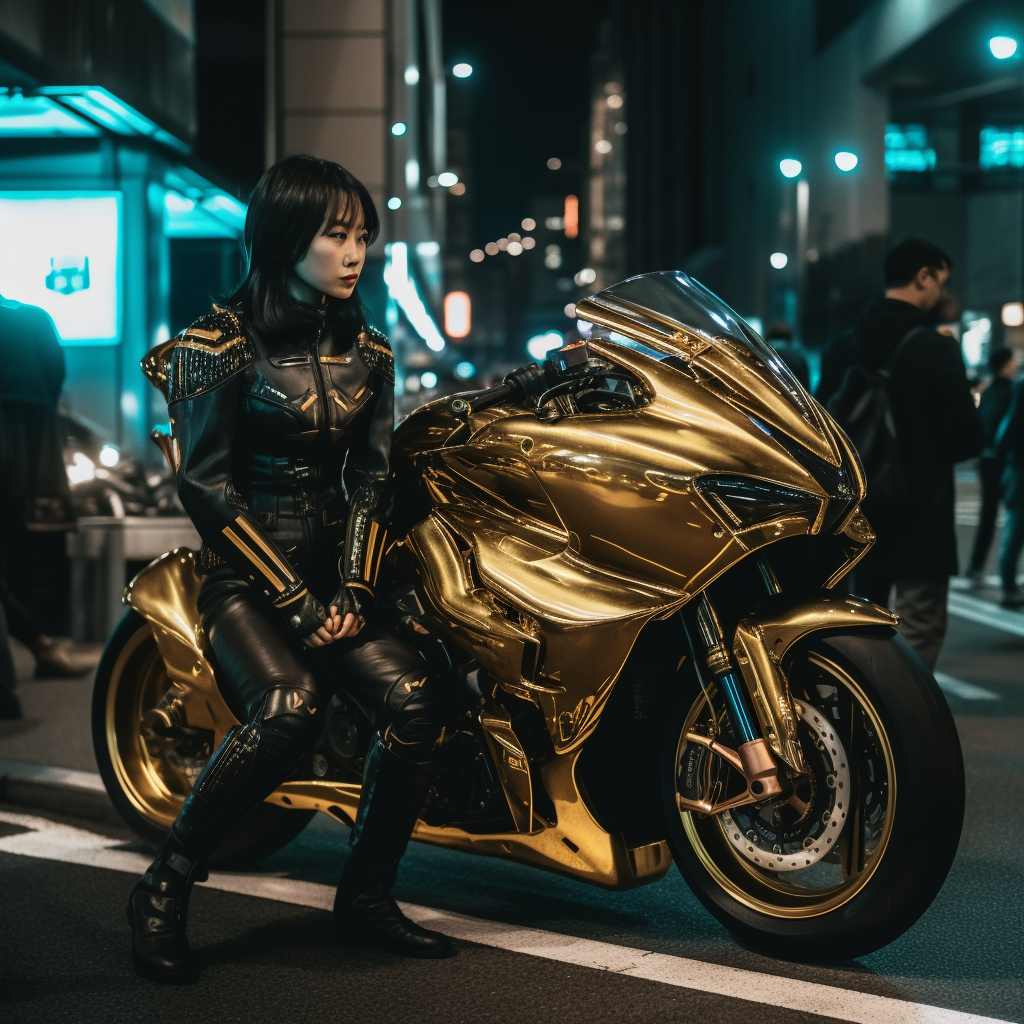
158 913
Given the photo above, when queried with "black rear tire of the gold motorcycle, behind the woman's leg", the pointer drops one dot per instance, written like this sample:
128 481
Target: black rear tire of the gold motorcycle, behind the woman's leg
265 830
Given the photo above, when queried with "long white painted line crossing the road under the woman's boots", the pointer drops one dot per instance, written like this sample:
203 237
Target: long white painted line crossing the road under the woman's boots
51 841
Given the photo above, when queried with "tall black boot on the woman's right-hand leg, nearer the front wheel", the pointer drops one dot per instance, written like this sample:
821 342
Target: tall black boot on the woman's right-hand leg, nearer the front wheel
365 913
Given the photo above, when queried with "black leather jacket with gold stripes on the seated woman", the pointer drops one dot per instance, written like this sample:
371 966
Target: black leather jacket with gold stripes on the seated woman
282 455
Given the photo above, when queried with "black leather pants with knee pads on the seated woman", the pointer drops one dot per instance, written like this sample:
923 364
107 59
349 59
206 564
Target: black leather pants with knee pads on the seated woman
284 688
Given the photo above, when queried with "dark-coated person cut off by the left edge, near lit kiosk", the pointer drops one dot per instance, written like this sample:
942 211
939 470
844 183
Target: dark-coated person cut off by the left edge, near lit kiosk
34 490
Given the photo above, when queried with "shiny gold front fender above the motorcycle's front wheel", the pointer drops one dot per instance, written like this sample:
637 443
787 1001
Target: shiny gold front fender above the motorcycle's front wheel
762 641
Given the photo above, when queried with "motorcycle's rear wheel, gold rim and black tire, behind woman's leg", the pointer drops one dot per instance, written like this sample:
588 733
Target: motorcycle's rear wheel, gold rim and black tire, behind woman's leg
149 765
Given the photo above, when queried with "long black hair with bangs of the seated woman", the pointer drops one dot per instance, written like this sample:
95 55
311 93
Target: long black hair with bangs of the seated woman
288 207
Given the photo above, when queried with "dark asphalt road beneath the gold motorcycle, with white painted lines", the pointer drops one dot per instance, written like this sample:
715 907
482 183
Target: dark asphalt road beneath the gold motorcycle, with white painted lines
64 944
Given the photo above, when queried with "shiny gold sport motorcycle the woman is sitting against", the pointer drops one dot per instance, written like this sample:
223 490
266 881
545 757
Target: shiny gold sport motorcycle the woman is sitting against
628 564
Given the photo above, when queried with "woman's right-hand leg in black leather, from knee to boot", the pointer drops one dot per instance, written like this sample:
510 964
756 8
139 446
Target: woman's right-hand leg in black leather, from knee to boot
411 708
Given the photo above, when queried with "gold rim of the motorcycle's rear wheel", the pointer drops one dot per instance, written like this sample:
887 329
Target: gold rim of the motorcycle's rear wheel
138 682
